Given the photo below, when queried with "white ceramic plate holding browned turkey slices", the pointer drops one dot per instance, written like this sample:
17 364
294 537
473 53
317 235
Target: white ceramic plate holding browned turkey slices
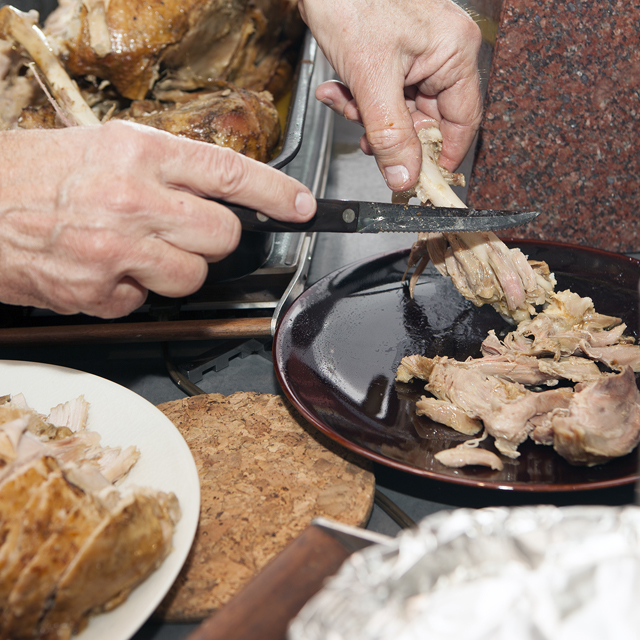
122 418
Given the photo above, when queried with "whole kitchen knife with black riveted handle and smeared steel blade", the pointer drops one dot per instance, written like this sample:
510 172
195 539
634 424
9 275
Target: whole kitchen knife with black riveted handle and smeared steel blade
352 216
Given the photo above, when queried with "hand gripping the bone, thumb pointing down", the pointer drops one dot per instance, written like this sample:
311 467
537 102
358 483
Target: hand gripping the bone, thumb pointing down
404 65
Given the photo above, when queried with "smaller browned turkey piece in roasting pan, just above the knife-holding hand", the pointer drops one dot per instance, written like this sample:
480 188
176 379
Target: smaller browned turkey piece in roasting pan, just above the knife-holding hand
230 117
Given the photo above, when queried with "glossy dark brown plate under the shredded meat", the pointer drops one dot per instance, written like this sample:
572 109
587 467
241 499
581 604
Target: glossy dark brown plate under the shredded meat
338 346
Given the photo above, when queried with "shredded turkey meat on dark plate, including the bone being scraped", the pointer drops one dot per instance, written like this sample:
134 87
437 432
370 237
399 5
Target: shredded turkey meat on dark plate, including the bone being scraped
560 340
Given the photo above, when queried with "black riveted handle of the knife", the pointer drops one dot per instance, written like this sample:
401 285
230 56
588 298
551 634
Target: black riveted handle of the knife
332 215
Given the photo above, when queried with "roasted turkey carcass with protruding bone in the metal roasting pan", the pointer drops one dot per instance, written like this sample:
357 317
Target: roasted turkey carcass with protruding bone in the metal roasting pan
210 71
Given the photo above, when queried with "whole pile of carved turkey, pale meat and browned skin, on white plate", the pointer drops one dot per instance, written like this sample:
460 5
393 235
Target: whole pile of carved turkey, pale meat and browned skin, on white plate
71 543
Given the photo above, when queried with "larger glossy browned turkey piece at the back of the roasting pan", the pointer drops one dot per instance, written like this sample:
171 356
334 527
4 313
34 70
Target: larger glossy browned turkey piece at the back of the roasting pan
199 40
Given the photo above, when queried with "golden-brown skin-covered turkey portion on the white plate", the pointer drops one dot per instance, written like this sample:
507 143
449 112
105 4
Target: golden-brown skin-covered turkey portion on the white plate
68 555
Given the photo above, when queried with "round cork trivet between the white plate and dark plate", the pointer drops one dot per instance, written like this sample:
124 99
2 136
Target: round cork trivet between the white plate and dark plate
265 473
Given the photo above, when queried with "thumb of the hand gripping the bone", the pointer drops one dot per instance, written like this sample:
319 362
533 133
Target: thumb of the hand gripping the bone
390 132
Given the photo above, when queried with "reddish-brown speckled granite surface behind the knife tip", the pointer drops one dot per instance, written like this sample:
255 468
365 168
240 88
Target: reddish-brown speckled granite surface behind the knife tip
561 131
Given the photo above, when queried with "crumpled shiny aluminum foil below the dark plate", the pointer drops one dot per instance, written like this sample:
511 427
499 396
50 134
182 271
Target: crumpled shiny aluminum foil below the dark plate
531 573
